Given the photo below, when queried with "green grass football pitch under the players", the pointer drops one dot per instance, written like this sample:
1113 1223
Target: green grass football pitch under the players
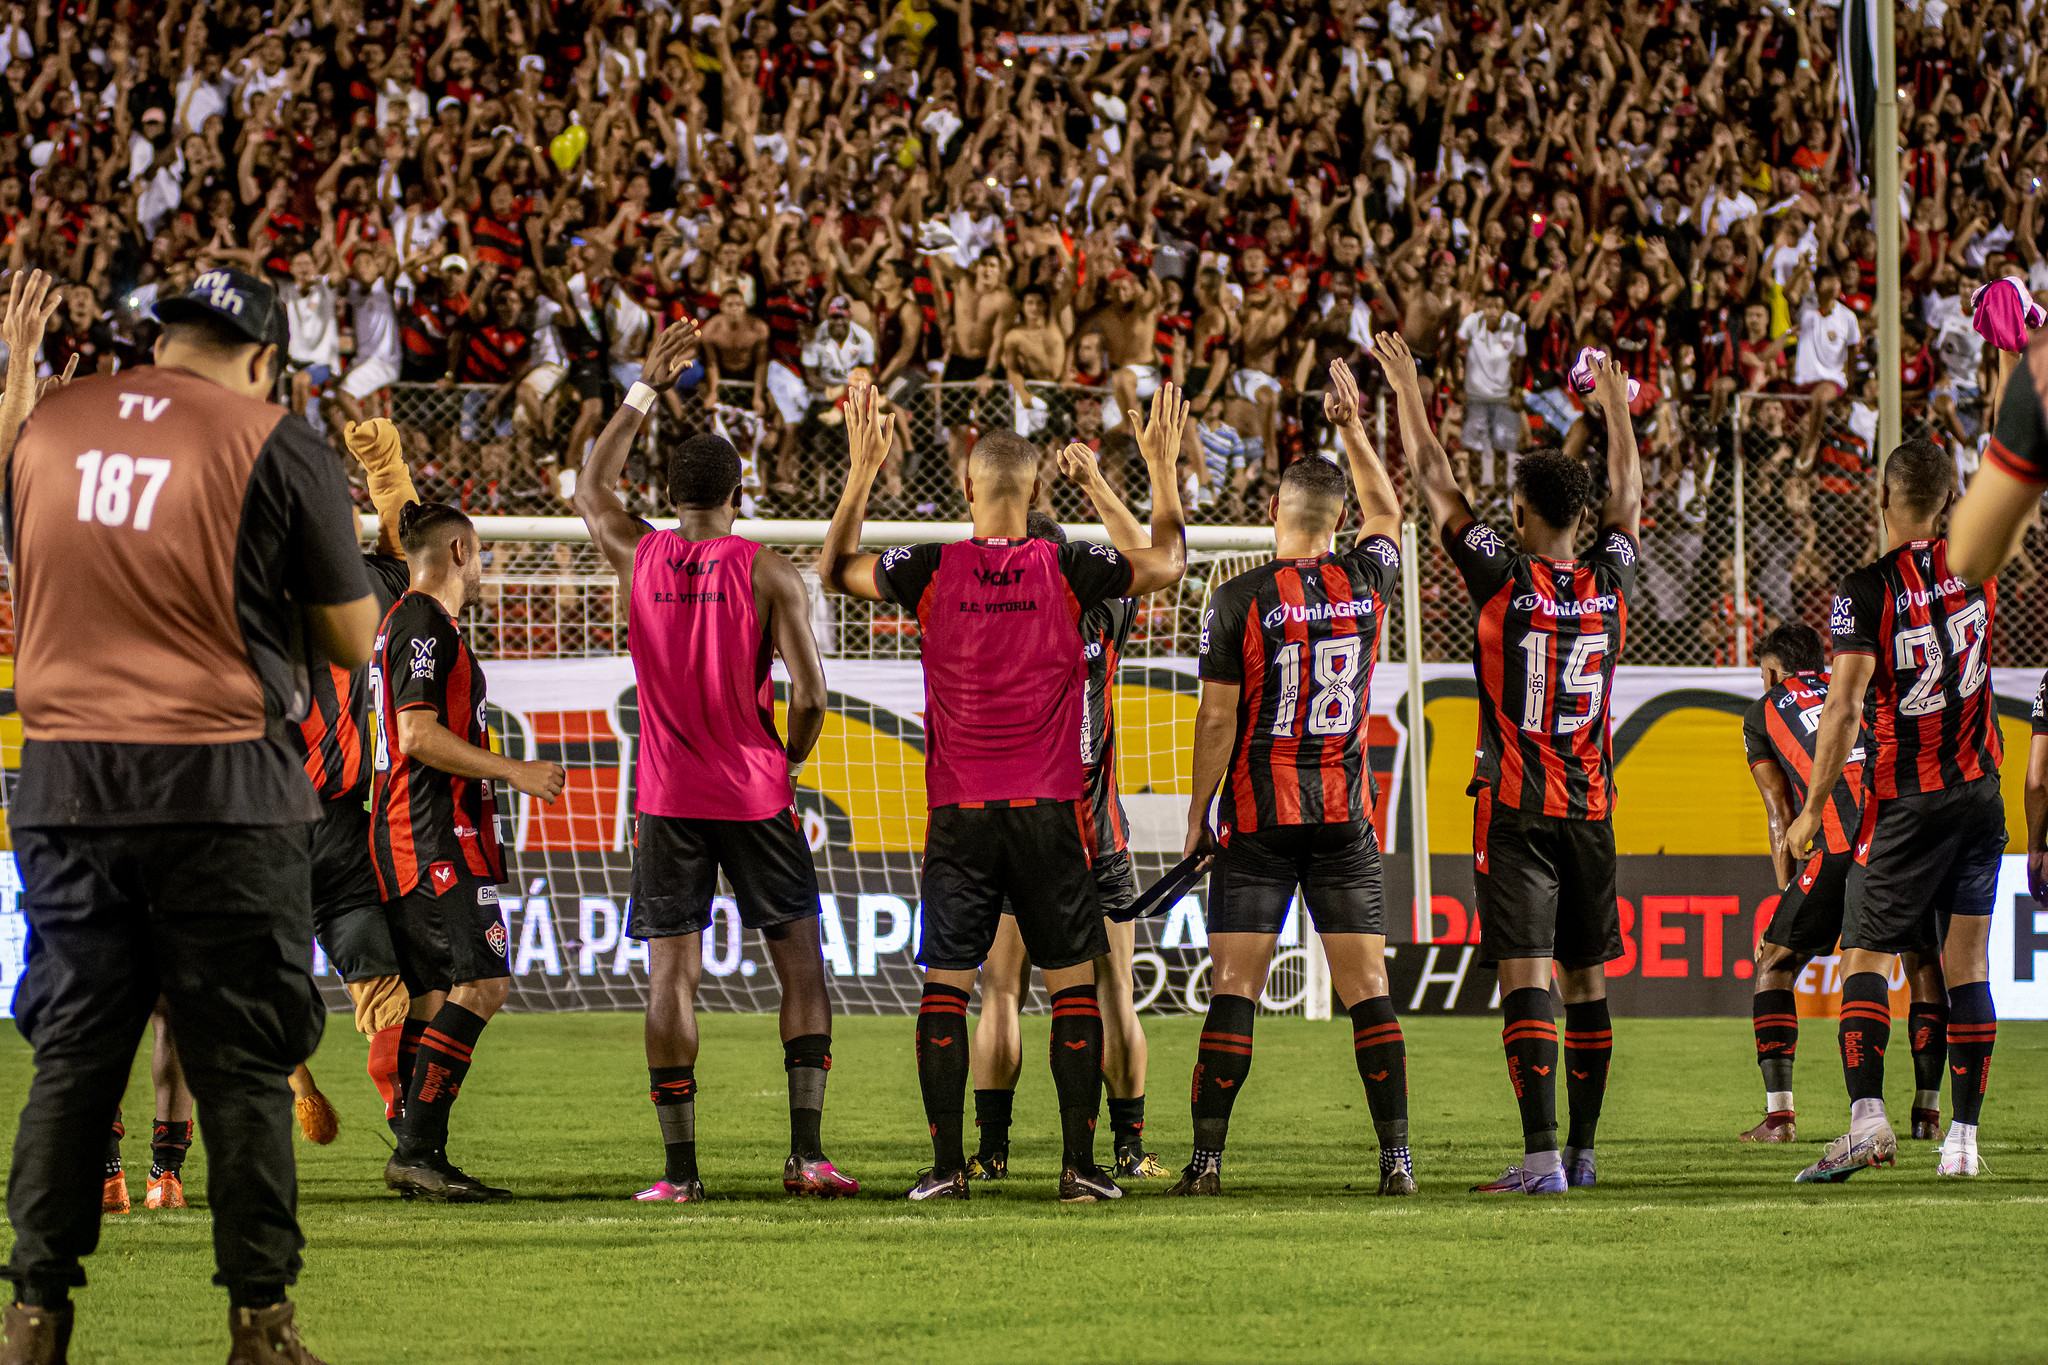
1691 1249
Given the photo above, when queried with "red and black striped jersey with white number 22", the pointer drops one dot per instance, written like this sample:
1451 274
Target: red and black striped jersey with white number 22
1930 711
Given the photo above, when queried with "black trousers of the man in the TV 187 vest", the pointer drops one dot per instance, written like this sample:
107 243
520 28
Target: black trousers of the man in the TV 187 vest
218 920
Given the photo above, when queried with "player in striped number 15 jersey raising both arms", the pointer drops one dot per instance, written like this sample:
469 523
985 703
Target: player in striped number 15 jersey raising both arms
1551 627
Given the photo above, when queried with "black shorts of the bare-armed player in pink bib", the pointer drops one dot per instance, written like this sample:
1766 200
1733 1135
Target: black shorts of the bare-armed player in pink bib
677 869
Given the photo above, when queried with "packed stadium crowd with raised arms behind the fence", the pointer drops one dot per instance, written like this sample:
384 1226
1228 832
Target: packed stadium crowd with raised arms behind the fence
1017 216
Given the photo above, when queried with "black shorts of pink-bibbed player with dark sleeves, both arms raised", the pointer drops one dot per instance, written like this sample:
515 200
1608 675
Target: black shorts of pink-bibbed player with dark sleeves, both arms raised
1037 856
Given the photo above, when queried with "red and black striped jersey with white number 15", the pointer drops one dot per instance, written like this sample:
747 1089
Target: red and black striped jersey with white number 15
1545 646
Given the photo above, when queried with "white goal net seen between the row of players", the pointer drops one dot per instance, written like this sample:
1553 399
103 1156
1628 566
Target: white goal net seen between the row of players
552 633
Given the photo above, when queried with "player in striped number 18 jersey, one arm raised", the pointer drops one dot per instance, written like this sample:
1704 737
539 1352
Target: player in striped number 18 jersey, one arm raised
1287 680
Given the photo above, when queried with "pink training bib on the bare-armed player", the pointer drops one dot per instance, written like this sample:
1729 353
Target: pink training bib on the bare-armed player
701 652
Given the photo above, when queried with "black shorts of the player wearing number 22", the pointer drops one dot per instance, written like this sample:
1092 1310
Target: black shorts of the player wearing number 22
1920 861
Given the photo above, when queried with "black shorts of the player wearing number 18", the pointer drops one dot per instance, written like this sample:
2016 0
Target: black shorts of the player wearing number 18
1334 867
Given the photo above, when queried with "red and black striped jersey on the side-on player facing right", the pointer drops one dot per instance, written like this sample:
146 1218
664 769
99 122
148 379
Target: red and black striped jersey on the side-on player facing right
421 816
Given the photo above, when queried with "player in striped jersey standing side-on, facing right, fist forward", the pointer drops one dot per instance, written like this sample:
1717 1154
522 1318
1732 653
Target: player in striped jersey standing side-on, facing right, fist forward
435 838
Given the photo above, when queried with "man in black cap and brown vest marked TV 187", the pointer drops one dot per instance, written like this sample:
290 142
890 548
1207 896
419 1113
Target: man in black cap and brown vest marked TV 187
173 539
